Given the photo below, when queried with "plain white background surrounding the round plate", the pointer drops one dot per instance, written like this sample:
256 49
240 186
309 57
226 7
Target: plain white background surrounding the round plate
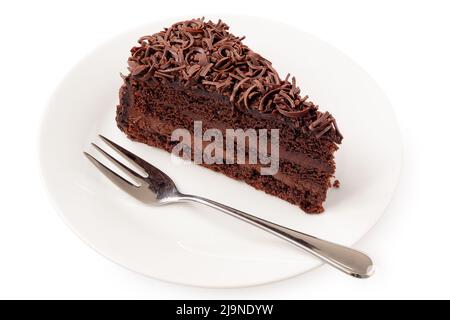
404 45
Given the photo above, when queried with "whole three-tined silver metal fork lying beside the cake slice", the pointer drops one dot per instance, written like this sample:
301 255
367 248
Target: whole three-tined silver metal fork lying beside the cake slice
157 188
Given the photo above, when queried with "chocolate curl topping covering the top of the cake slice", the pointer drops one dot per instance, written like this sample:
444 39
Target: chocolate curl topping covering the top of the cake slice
200 54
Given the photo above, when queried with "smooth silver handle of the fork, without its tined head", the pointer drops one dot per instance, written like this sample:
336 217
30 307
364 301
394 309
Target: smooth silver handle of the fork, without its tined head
348 260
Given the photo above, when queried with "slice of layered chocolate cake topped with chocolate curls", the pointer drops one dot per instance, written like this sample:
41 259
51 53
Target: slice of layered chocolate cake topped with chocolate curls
198 71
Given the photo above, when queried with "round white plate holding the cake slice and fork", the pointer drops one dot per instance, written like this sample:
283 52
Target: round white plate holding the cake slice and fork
193 245
